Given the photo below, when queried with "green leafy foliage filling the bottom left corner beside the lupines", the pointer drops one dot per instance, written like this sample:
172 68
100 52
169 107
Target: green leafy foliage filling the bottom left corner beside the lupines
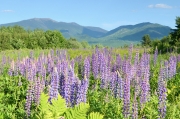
12 96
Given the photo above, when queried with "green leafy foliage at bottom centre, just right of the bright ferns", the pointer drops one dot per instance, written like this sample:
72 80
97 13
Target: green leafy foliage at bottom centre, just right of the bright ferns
106 104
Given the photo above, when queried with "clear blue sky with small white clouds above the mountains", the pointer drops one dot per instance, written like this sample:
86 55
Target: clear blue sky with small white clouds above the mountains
107 14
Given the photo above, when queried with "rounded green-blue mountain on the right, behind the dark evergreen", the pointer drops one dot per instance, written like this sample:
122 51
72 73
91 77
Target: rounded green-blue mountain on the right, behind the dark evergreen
136 32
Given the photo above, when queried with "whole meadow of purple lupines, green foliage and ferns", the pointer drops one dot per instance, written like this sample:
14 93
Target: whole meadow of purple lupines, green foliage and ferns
89 84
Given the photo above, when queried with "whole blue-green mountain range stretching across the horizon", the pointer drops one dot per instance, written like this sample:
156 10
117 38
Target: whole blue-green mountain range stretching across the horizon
96 35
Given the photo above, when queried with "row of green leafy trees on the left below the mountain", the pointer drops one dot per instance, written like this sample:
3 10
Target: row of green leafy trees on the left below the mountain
16 37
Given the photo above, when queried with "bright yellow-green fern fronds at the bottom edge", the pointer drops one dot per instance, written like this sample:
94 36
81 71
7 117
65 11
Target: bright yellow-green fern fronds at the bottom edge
57 109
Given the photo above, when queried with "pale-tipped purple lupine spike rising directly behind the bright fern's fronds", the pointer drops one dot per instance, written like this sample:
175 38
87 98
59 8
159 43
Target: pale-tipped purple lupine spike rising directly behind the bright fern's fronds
54 84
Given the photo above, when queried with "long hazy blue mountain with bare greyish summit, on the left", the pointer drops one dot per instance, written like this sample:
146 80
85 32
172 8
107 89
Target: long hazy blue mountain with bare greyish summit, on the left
67 29
